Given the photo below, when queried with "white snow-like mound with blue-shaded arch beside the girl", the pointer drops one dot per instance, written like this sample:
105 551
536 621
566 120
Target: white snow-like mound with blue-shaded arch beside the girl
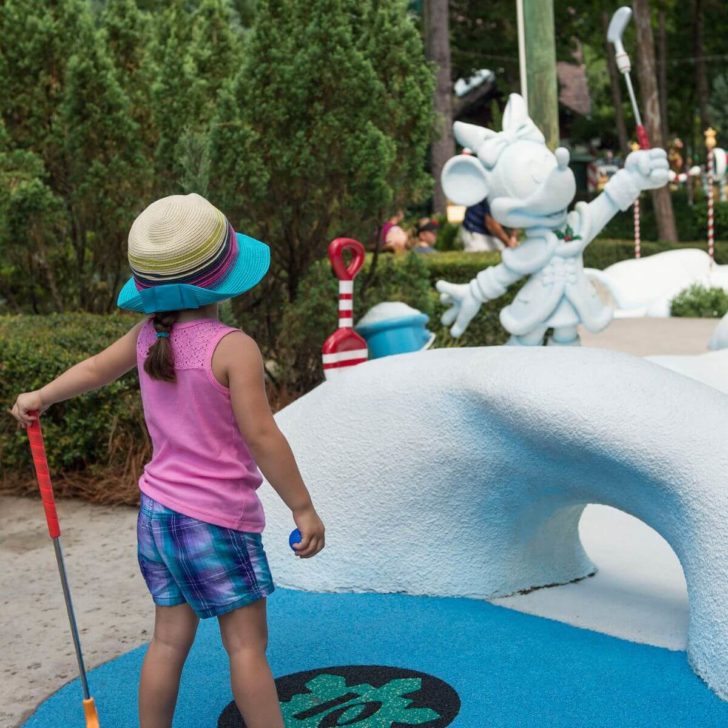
464 472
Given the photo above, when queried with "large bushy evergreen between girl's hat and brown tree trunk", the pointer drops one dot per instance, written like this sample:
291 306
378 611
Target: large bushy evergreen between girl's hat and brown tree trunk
303 147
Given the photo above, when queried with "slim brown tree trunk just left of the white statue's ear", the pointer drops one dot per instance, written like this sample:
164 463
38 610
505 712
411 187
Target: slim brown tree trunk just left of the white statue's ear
437 48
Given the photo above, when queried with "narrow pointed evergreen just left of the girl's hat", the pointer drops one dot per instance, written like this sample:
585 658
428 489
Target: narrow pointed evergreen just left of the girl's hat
104 165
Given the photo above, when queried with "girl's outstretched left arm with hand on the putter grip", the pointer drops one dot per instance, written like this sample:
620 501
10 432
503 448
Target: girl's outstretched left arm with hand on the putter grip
92 373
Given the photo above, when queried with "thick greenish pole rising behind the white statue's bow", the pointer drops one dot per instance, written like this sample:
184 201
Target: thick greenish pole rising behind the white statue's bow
540 55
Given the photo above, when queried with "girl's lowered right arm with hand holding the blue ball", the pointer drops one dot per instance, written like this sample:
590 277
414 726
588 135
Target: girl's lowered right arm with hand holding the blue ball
238 359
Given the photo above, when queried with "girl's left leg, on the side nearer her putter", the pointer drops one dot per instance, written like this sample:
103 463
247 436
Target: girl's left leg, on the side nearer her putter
174 632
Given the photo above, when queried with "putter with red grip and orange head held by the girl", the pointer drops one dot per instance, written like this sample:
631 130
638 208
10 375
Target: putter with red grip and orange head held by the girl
37 448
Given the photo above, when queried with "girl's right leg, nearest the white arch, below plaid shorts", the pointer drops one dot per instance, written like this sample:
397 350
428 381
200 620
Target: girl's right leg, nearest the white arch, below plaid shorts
245 636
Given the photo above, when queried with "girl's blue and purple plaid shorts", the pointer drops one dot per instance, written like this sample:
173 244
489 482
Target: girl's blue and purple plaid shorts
213 569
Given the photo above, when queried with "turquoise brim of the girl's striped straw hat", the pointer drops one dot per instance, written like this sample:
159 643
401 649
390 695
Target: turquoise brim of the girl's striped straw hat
249 268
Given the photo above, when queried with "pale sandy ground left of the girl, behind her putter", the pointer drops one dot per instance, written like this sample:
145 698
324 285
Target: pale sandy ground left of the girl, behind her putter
113 609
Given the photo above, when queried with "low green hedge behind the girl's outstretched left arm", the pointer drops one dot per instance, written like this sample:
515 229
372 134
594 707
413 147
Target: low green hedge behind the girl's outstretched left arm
101 430
